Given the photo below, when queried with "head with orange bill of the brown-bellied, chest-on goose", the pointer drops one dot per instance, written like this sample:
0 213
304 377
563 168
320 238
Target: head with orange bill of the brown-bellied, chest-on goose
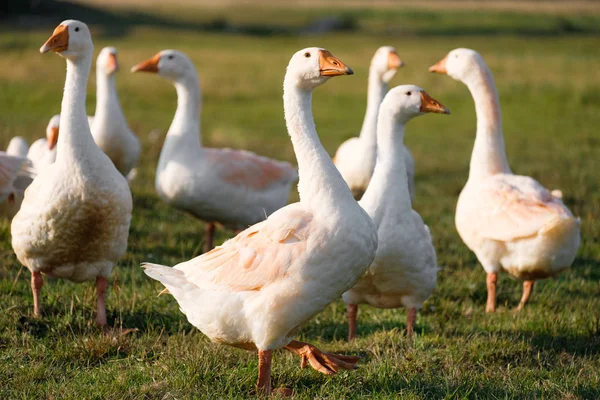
71 39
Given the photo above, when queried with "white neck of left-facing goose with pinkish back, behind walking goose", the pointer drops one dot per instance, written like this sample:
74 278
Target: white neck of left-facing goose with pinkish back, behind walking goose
184 133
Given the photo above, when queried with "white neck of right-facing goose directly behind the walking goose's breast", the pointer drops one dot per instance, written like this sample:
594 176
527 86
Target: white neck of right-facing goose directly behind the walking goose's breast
388 189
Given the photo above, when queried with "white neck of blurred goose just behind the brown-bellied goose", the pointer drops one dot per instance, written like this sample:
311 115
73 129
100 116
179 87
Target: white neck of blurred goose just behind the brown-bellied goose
108 108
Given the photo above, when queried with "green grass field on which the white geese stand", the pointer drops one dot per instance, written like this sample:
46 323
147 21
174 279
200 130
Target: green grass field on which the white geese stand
546 65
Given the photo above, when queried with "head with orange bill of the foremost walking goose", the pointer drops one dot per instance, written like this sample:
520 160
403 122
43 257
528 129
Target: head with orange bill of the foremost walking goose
313 66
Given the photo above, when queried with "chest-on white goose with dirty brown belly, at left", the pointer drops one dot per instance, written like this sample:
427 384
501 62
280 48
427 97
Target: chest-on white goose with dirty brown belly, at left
74 221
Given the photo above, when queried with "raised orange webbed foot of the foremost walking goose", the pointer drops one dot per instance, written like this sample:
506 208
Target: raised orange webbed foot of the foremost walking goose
325 363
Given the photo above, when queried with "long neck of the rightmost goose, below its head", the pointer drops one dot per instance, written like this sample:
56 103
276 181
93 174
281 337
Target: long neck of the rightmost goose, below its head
489 154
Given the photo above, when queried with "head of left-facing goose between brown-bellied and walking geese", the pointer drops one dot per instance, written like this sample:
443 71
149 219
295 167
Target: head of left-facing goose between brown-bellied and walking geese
171 64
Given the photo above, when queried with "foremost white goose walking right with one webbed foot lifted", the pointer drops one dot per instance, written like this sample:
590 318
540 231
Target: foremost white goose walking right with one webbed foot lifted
257 289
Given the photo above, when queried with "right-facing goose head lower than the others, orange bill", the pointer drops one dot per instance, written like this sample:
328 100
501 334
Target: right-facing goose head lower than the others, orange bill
408 101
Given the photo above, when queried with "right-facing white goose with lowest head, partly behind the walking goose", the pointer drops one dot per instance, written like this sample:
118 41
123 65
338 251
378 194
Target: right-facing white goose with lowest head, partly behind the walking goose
403 273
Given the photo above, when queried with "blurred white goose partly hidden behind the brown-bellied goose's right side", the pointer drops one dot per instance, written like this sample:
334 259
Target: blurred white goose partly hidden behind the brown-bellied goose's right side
109 126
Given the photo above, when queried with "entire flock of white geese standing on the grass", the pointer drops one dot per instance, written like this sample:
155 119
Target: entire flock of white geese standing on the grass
258 288
